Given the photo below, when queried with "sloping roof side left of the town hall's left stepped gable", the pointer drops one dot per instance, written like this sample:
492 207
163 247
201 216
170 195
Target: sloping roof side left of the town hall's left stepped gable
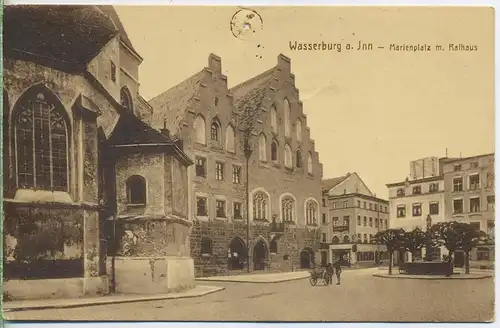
169 108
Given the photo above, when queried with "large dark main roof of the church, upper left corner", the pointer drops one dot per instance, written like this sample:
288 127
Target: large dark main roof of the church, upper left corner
65 33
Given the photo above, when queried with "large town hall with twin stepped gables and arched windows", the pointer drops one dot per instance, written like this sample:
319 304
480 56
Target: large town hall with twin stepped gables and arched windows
283 174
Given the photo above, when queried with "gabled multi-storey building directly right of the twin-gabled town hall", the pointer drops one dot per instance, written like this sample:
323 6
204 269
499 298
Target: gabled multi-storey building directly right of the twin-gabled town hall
352 216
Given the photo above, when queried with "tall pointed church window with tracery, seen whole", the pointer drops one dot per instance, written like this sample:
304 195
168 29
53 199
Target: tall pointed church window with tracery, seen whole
41 141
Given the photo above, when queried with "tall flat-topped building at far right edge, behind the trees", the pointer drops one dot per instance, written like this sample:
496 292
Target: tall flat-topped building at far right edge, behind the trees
470 197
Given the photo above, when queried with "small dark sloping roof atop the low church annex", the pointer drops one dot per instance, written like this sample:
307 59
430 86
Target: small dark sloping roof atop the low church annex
130 130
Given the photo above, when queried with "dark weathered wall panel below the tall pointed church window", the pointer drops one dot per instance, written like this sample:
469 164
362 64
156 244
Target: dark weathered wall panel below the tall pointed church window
42 243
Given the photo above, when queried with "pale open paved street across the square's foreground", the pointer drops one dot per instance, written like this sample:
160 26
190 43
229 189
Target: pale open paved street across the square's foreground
361 297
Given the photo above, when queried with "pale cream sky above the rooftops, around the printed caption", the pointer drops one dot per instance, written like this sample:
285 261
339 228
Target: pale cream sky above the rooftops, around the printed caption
370 112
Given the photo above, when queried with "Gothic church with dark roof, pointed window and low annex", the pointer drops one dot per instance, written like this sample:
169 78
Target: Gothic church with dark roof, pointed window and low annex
75 152
